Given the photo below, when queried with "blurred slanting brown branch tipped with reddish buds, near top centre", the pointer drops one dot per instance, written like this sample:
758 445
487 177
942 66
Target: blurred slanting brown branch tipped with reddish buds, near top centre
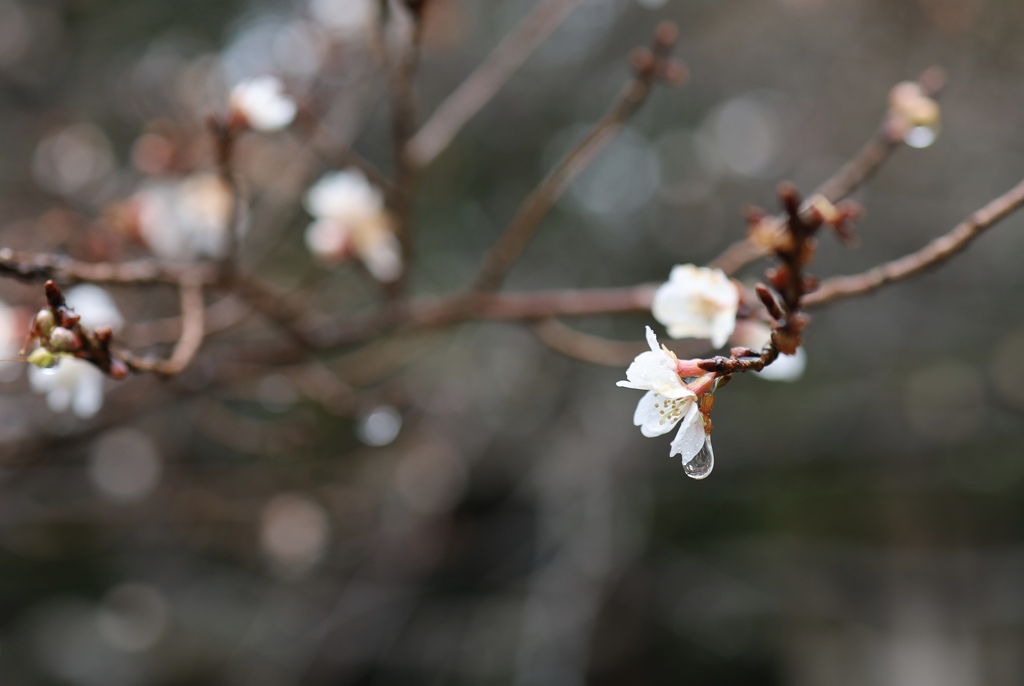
510 246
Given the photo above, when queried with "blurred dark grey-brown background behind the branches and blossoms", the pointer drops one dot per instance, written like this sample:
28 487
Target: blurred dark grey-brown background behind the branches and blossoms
487 514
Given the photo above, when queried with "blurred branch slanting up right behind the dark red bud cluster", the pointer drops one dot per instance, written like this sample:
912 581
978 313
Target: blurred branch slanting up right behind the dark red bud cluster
862 167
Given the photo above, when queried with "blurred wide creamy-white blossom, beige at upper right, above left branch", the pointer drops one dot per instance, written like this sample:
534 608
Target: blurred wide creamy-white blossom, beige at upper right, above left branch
187 219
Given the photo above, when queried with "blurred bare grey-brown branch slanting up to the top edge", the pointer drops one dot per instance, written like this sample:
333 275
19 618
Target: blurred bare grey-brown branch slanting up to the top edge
435 137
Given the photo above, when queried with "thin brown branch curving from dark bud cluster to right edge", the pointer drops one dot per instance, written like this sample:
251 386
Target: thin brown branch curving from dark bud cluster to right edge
936 252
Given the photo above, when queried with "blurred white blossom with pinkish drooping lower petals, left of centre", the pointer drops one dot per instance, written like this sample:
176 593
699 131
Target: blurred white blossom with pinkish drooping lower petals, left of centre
351 219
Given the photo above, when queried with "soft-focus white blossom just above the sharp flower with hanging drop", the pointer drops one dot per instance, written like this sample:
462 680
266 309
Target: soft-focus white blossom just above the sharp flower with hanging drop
698 303
